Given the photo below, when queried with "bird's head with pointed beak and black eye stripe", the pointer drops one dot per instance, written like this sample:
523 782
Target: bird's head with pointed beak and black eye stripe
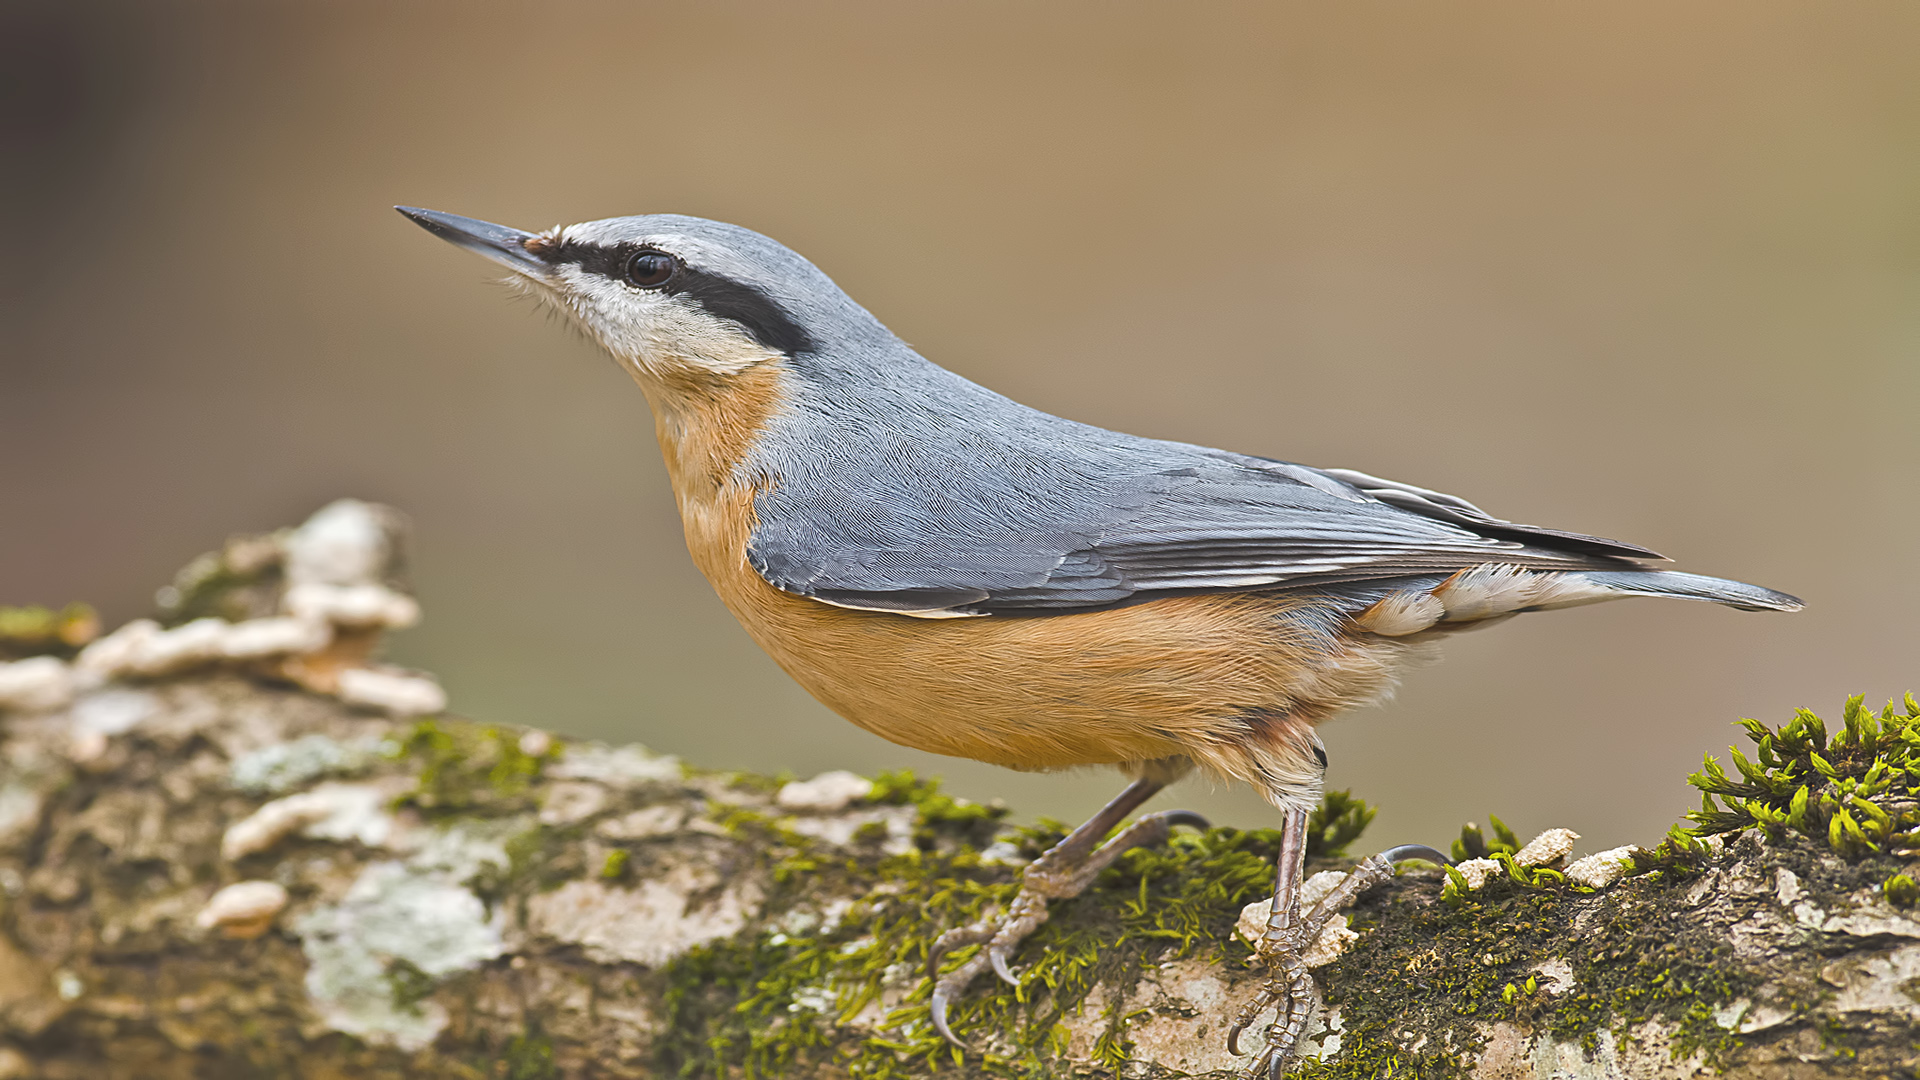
675 297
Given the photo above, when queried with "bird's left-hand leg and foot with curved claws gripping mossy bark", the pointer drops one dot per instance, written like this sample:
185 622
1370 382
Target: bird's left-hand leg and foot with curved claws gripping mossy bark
1063 873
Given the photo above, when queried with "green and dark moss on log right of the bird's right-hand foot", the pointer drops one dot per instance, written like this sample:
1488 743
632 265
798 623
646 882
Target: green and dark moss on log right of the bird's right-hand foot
1848 795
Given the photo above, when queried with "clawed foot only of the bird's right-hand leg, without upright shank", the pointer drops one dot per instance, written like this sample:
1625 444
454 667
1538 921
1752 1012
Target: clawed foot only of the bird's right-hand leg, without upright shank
1289 985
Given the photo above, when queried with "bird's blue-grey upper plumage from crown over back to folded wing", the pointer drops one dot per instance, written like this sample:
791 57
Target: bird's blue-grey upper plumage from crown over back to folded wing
892 483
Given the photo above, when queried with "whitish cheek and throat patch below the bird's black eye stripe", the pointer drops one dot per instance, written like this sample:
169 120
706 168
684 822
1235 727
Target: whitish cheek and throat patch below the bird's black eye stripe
656 333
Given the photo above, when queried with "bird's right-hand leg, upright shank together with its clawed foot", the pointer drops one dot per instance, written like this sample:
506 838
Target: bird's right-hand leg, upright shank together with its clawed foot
1291 933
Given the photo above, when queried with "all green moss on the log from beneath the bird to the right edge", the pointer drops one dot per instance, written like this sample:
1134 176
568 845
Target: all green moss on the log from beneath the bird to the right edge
1416 991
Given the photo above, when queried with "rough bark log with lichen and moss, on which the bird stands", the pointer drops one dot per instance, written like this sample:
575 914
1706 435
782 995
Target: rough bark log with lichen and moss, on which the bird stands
433 898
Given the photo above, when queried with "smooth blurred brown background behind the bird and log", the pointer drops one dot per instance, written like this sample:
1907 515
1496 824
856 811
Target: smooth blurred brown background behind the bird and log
1639 270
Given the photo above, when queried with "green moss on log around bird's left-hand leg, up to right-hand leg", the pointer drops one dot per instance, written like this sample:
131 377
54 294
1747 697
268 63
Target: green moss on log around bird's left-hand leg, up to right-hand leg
765 1004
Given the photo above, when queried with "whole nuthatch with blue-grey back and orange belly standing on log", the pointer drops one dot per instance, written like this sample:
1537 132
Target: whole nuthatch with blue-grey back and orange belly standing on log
967 576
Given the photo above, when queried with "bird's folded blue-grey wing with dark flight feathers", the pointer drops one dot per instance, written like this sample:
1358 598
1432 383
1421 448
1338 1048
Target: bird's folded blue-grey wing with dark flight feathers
1040 535
